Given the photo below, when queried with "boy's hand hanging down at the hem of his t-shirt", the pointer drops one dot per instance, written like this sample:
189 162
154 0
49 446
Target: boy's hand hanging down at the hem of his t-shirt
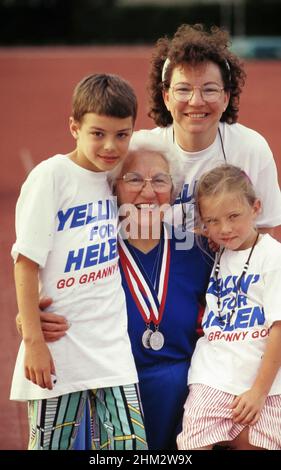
38 364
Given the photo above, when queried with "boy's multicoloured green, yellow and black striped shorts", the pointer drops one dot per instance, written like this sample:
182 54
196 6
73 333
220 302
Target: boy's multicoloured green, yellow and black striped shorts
116 420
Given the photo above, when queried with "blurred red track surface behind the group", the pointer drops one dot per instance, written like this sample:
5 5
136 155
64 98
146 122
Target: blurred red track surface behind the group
35 93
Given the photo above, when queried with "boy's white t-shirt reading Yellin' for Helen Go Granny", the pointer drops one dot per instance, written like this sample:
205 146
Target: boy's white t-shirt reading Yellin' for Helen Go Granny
66 221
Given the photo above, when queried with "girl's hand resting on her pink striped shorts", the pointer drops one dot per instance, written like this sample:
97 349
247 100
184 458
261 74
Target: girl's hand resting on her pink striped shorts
247 407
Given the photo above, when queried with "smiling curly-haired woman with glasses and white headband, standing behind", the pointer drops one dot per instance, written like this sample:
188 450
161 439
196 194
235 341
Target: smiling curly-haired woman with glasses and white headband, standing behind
195 84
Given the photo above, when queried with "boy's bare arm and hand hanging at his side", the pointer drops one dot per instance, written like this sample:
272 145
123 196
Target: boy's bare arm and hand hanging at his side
38 360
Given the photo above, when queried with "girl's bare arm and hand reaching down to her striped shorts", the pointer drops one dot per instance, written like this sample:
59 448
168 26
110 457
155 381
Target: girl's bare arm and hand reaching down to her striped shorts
247 406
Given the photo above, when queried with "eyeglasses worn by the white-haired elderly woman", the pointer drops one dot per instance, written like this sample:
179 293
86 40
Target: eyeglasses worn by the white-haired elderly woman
160 183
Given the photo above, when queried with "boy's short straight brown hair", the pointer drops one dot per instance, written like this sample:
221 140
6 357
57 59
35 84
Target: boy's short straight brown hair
104 94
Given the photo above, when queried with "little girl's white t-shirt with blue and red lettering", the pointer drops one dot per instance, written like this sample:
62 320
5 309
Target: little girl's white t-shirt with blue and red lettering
228 357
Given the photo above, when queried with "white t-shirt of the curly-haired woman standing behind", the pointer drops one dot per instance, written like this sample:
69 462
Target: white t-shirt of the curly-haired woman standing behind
244 148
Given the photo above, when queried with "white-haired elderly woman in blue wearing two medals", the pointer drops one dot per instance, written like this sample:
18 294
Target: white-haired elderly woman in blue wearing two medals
164 277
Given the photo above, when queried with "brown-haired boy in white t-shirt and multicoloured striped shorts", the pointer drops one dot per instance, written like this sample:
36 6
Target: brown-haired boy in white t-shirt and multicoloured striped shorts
66 224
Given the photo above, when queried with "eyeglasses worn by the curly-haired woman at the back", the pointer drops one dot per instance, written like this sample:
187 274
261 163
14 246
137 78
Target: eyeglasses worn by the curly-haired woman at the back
209 93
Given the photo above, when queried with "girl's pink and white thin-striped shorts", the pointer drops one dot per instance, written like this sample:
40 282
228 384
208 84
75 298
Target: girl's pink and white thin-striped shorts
207 420
